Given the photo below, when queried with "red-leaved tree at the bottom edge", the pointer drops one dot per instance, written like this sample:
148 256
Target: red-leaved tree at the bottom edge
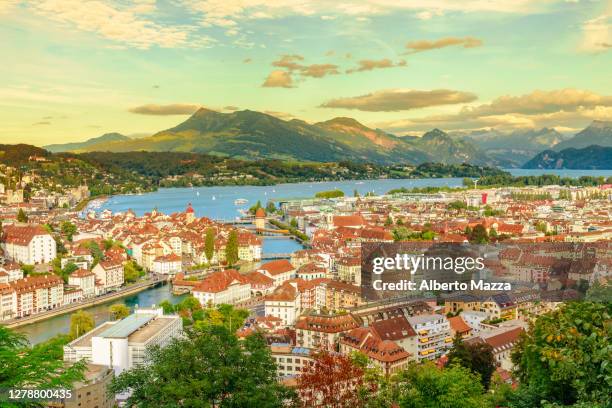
330 381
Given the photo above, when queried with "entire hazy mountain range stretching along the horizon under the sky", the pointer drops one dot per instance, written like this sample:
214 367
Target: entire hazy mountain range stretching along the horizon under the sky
251 135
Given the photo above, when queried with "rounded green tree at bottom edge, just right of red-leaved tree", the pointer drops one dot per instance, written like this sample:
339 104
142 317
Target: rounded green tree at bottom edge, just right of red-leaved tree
427 386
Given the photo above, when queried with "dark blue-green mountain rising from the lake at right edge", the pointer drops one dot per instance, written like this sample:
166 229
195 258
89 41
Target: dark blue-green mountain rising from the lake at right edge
589 158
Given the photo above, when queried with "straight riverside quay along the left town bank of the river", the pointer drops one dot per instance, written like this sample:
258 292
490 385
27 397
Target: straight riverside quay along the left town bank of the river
73 307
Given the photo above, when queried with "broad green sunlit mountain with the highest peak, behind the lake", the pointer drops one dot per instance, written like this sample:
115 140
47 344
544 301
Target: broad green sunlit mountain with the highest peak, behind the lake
254 135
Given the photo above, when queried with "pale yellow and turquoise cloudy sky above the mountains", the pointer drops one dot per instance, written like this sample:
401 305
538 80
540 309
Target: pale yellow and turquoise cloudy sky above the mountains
75 69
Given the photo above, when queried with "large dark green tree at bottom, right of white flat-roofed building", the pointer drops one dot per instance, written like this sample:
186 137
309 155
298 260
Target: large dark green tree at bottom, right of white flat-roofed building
206 368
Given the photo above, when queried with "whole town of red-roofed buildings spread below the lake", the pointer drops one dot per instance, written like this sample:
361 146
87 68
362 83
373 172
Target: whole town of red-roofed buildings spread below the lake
56 258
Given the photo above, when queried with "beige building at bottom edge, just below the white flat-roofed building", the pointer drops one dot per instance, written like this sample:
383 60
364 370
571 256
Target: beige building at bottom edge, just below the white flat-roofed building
92 391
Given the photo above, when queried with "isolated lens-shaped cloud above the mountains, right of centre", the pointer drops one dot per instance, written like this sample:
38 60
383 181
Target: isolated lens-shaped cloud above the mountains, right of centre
394 100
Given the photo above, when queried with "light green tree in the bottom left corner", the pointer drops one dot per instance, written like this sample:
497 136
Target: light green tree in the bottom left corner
41 366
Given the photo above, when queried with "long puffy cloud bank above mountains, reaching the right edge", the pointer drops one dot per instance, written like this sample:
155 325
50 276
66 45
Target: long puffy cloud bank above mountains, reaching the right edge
571 108
